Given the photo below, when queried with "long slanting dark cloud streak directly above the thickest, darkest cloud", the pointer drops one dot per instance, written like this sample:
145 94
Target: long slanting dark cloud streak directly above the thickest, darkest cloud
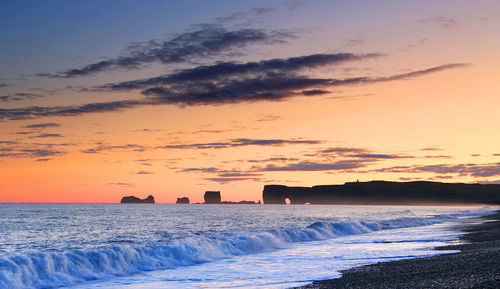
222 70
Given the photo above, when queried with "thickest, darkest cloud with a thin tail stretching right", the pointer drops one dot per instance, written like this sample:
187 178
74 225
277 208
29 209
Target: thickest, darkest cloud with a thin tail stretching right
270 86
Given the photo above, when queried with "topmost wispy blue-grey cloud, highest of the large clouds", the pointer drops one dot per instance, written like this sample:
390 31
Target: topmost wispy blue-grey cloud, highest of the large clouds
203 41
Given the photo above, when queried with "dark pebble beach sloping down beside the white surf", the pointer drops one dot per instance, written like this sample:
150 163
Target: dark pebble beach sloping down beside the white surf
477 265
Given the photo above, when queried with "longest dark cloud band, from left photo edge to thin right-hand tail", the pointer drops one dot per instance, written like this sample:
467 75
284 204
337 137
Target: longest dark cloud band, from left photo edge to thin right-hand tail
268 87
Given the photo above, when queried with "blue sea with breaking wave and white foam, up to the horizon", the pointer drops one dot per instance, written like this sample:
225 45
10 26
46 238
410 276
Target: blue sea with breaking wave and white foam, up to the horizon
210 246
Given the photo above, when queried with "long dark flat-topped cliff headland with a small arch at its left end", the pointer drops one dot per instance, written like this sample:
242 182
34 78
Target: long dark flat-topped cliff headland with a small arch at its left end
385 193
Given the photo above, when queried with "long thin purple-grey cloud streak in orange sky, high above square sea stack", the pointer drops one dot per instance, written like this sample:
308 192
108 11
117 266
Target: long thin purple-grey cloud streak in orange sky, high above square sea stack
240 142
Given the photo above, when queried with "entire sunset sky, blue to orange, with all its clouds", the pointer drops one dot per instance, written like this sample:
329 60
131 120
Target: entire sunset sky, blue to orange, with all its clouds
103 99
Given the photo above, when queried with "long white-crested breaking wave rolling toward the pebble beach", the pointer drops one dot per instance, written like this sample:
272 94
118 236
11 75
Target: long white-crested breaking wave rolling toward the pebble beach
55 269
